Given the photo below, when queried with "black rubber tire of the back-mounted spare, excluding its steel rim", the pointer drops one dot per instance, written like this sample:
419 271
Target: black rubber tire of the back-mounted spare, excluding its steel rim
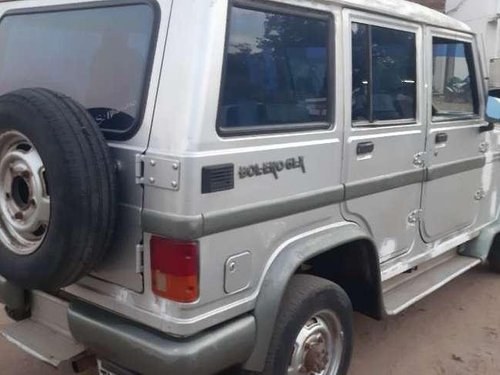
81 178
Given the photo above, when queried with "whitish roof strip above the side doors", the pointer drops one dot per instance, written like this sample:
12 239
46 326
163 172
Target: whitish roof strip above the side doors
402 9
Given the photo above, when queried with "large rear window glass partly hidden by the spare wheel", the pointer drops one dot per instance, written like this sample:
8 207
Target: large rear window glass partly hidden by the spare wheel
98 57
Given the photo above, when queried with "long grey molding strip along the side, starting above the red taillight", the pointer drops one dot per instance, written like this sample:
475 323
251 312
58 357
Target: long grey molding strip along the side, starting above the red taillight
191 227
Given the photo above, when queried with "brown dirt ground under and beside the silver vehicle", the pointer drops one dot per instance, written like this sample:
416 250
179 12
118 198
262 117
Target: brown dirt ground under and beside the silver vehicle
455 331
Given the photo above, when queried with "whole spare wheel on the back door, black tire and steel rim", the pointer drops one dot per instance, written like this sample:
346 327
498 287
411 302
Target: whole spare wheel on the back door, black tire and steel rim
57 190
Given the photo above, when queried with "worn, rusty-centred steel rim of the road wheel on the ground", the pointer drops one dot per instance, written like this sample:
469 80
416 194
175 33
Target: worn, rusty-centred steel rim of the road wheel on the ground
318 346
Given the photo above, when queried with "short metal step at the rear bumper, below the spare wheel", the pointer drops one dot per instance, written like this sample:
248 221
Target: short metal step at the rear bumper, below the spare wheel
46 334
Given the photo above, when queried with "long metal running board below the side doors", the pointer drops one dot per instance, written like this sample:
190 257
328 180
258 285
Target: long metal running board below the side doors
408 288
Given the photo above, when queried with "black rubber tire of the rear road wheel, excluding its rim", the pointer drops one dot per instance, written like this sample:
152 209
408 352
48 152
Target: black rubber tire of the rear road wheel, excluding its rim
307 295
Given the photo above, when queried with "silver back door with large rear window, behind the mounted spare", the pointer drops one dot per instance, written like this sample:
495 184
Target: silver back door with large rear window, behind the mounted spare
102 55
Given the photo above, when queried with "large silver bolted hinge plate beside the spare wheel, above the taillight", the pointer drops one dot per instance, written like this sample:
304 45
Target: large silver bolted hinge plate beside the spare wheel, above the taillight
158 172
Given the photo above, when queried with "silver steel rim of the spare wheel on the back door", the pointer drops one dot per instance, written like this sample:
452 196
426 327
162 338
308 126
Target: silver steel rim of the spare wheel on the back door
24 195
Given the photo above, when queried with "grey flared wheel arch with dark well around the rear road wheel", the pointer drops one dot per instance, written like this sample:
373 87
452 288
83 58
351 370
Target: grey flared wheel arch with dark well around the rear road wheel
301 256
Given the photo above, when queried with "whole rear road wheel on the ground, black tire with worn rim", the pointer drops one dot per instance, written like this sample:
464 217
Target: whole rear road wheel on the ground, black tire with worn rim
313 332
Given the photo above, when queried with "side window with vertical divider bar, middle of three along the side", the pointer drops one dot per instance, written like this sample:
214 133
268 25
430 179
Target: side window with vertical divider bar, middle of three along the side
384 74
